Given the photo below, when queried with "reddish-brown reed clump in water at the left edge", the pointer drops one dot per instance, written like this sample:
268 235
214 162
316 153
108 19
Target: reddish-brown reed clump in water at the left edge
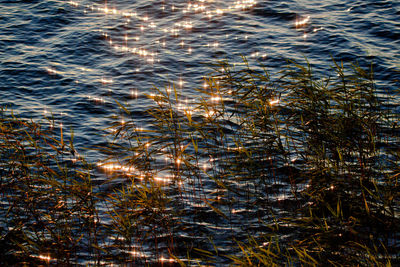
47 203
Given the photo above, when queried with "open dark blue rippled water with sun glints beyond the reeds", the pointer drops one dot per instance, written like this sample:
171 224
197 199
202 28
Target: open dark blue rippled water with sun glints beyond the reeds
72 58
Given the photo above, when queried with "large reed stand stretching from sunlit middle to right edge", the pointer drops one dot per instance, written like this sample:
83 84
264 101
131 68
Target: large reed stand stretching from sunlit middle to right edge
300 169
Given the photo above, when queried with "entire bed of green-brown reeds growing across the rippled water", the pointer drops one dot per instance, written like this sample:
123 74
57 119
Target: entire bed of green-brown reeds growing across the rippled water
299 170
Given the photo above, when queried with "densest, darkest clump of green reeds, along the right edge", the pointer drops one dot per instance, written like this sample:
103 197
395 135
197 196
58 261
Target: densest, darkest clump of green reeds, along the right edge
350 141
